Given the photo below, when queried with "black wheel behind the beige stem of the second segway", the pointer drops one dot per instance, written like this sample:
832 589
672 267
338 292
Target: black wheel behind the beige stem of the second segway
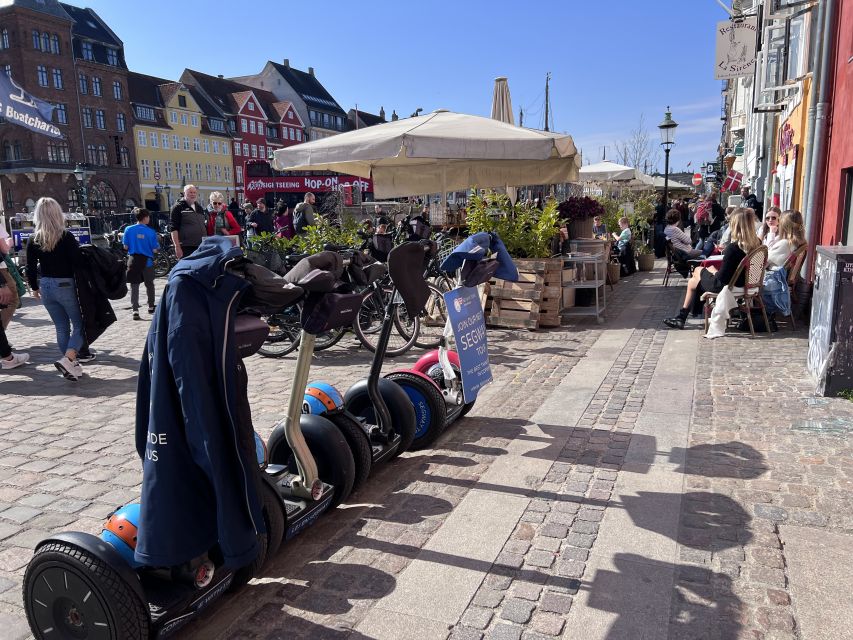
331 452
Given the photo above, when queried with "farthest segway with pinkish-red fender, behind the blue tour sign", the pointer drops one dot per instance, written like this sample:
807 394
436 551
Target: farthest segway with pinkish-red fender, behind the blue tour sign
434 383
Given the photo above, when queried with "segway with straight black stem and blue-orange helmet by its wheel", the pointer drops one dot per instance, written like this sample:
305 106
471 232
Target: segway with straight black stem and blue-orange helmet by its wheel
378 407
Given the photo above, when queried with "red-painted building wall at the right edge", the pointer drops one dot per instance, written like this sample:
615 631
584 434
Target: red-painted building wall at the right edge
837 219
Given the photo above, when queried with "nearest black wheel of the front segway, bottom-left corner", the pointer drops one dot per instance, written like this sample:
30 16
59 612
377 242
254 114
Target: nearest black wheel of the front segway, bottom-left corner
71 593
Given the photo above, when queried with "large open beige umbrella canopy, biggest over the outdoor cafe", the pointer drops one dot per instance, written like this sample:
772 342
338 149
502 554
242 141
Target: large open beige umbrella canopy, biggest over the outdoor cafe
439 152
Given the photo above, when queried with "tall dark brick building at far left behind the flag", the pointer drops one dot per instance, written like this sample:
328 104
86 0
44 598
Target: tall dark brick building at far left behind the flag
67 56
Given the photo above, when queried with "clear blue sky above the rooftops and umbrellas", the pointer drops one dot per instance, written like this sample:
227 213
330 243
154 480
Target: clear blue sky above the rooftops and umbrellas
610 60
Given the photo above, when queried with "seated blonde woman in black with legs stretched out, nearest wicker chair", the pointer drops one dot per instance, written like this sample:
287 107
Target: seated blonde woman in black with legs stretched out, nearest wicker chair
711 279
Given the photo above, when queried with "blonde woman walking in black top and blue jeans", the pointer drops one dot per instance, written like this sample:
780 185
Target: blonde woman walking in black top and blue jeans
53 248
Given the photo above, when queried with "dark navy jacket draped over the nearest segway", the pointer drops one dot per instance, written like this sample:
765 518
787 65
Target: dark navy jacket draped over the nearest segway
197 484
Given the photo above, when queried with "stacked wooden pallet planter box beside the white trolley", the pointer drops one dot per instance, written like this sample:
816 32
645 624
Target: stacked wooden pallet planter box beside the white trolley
532 302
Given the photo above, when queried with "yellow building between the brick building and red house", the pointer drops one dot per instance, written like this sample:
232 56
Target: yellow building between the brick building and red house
181 138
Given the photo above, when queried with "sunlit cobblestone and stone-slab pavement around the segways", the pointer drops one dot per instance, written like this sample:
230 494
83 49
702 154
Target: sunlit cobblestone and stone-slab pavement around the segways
615 481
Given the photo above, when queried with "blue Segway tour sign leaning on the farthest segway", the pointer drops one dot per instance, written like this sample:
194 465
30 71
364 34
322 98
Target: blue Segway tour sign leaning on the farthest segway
469 328
